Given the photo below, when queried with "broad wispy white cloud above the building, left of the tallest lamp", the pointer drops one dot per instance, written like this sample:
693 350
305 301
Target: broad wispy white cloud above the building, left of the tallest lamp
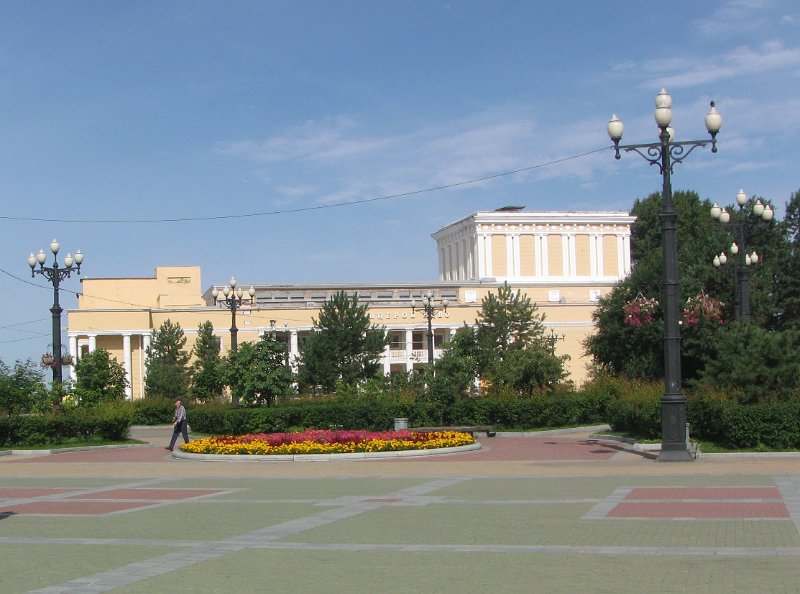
347 163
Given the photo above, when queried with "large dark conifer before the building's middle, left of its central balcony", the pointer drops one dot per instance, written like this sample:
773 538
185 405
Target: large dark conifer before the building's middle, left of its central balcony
346 348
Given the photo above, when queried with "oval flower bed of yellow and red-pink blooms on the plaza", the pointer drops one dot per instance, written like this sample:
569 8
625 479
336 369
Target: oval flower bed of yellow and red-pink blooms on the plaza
327 442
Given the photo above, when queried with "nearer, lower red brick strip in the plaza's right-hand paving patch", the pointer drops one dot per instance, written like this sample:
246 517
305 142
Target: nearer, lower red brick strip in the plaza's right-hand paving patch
699 510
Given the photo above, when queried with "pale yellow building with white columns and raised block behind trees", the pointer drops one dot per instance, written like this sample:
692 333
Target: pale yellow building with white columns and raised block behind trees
564 261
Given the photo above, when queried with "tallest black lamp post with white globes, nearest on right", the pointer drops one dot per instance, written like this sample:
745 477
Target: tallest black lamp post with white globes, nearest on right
666 154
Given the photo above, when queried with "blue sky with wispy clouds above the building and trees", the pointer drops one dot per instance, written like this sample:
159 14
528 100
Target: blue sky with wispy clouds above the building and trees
117 115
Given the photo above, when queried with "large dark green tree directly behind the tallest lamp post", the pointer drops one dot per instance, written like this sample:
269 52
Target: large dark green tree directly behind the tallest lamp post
638 351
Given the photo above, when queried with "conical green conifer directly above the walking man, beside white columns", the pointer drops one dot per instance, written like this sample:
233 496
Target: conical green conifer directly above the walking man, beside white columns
167 374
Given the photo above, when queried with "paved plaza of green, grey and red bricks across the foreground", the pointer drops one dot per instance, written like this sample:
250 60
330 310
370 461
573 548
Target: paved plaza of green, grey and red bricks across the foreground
548 513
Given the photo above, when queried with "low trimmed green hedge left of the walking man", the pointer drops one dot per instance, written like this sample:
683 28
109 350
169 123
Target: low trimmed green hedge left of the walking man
110 423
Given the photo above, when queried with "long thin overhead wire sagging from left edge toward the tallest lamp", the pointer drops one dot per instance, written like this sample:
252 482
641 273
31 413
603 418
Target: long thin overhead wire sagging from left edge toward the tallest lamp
307 208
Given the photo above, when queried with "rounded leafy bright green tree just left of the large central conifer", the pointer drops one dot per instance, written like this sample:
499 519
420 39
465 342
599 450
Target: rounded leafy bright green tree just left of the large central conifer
257 372
